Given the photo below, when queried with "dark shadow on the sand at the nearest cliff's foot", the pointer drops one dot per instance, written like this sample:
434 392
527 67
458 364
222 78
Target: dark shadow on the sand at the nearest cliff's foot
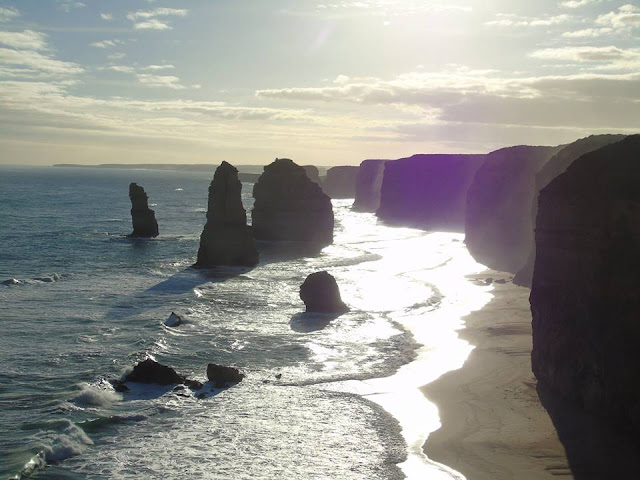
595 451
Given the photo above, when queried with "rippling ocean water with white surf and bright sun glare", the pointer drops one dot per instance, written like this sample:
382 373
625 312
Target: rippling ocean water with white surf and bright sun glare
324 398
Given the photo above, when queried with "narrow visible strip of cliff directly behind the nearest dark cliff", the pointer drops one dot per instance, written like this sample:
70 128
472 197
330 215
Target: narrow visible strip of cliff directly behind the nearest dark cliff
554 167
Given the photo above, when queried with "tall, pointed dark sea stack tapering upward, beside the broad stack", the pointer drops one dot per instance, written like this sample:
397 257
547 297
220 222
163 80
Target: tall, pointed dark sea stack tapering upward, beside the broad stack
226 238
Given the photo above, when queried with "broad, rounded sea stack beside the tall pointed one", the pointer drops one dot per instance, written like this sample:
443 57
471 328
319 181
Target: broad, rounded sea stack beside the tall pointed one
289 206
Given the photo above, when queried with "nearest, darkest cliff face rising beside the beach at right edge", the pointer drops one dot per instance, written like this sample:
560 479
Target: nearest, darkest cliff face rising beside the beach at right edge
585 296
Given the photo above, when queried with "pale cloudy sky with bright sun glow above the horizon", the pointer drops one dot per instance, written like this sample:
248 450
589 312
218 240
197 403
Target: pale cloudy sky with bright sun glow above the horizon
323 82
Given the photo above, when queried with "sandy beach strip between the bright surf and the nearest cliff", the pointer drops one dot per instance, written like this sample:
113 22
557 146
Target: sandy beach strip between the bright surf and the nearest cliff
494 425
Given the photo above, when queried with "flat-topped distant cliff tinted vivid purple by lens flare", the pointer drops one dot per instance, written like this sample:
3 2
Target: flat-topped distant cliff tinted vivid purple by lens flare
427 191
